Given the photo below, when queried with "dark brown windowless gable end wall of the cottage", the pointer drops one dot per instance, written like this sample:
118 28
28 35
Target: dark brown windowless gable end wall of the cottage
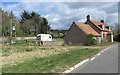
75 36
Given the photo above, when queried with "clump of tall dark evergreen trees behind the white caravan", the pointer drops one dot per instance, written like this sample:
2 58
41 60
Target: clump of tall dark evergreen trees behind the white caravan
33 24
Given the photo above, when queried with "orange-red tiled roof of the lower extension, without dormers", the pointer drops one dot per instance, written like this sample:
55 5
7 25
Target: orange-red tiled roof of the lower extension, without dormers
87 29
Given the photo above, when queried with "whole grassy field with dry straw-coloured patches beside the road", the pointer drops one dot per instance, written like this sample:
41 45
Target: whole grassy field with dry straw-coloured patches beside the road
45 58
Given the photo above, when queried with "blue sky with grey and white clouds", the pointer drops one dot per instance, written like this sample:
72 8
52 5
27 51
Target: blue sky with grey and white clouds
61 14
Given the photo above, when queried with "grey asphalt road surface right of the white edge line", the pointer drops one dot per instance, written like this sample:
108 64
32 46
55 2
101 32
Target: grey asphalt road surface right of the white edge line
107 62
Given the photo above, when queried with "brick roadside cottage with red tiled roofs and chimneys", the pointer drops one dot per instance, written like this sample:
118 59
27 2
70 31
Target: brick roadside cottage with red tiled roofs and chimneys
78 32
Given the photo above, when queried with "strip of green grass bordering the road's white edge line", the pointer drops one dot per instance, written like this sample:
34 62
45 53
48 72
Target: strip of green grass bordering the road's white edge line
51 64
